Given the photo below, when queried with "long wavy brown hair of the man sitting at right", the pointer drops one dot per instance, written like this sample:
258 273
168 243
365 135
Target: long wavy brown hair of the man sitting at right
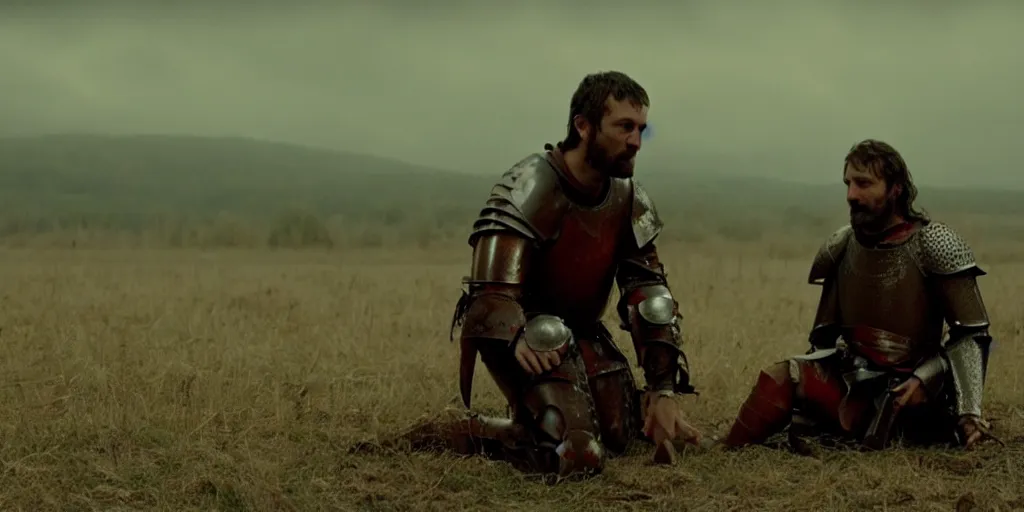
885 162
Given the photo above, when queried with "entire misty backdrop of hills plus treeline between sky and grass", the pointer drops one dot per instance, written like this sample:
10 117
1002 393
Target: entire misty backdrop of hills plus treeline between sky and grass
190 192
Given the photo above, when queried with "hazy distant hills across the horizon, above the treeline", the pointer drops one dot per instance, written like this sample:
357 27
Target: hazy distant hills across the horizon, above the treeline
141 177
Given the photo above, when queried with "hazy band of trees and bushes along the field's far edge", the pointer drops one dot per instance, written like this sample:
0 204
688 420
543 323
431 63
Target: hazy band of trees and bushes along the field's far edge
303 229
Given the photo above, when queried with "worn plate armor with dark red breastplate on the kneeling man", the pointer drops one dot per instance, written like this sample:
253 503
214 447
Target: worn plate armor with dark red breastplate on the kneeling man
545 263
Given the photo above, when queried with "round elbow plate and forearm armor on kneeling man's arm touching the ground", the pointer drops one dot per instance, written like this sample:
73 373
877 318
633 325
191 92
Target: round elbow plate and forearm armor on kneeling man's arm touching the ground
654 322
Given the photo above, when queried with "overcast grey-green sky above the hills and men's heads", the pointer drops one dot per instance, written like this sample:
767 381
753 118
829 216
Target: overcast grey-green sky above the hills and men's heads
477 89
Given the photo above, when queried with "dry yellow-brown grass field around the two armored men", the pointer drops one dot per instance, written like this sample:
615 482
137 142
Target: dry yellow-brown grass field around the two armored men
238 380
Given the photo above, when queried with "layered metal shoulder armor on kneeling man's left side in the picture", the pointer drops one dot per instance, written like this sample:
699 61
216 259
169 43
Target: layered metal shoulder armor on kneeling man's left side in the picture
528 200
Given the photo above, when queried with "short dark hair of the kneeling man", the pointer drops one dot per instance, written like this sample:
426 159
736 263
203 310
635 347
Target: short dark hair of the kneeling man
591 97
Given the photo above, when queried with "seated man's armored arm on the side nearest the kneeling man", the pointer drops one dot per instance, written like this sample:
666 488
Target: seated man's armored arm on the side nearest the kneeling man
827 326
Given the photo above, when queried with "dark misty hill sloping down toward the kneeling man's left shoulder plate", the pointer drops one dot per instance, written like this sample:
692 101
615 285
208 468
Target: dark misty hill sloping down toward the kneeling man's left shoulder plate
150 176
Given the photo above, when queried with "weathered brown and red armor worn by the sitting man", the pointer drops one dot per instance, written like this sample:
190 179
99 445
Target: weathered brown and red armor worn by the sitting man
880 317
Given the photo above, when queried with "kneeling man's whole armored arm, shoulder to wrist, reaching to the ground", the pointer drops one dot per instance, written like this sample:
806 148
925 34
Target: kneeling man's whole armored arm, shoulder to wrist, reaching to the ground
648 309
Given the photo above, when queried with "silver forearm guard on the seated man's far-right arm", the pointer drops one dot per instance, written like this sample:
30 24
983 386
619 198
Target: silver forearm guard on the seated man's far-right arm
968 362
